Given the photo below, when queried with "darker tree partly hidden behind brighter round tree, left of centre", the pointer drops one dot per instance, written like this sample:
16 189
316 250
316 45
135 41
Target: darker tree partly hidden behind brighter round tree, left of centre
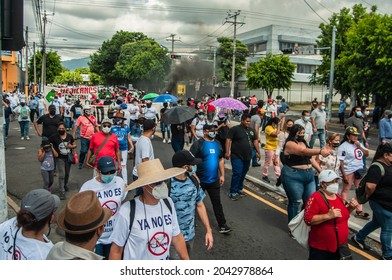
104 60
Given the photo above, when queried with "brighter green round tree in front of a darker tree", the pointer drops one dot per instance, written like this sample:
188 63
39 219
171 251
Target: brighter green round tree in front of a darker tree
143 63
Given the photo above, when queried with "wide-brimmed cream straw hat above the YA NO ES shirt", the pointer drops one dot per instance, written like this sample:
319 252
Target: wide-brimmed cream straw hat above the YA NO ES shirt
152 171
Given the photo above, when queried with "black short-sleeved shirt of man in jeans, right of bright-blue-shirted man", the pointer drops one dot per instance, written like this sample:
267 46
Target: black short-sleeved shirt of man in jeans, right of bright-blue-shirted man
242 142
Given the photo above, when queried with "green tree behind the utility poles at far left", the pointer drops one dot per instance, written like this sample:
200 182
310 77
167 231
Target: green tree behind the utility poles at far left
53 66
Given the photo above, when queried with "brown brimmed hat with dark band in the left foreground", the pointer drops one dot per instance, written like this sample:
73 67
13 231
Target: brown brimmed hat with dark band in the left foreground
83 213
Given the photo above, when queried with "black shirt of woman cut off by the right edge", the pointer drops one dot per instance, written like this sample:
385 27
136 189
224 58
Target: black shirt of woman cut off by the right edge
383 193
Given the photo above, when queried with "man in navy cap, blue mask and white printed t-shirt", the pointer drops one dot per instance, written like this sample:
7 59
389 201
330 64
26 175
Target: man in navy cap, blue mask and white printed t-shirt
110 191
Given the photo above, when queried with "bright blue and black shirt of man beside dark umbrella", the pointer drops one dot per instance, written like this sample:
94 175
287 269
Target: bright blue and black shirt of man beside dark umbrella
210 153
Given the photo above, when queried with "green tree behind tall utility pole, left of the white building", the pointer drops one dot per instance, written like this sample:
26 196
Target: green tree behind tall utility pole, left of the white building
225 58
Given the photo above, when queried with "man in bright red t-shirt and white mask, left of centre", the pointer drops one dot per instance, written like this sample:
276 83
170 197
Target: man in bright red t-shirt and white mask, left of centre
110 148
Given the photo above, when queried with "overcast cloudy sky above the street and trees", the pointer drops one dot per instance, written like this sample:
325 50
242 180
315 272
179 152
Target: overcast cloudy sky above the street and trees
79 25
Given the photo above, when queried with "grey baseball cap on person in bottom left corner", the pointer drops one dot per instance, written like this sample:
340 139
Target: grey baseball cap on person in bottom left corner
40 203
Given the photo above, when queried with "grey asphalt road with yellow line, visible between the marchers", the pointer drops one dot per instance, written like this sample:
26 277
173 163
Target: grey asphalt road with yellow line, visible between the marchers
258 220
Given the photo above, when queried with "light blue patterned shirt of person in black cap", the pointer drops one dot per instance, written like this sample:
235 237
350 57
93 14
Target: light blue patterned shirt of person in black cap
186 196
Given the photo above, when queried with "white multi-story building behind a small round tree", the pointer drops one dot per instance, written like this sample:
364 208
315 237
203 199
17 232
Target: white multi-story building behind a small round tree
297 43
